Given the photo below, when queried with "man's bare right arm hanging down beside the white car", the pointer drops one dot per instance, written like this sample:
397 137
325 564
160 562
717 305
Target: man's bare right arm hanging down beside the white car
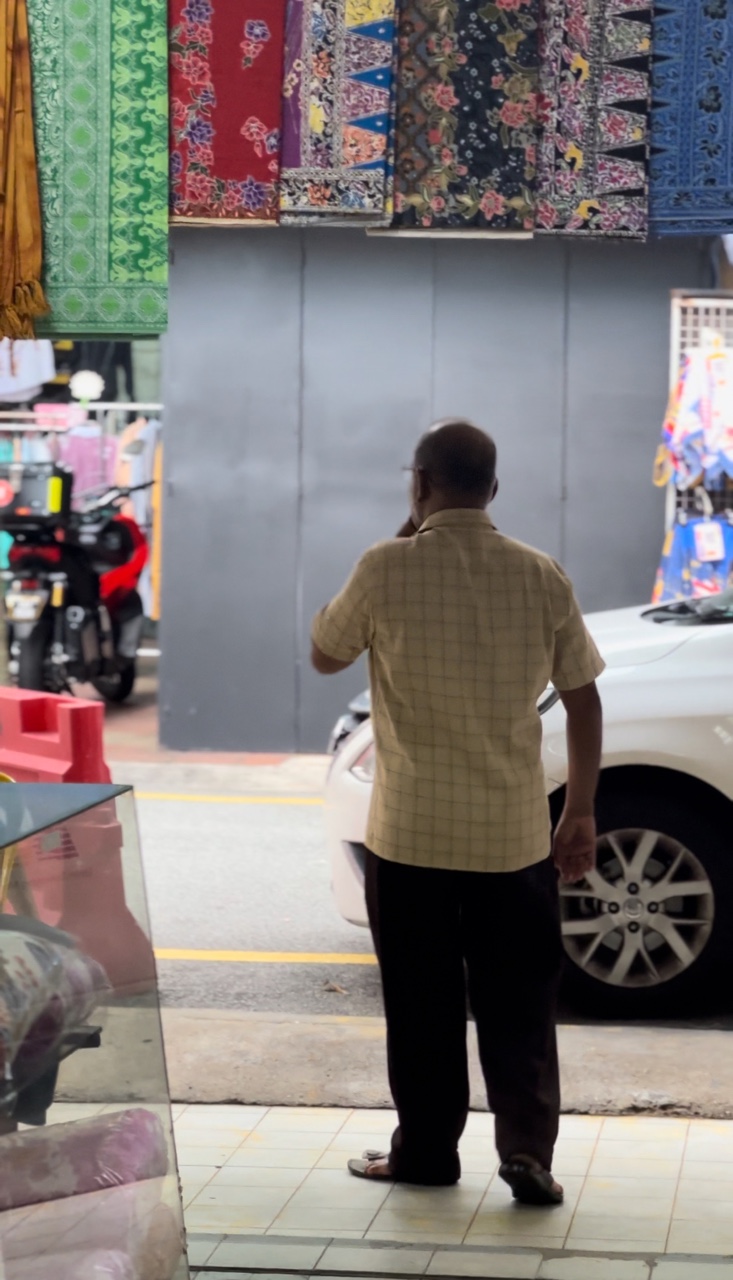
575 848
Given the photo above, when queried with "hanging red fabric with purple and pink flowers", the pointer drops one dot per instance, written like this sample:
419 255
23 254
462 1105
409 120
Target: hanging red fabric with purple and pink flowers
226 75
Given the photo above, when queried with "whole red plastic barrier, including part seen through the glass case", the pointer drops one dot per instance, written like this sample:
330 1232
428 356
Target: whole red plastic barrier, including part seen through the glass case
75 870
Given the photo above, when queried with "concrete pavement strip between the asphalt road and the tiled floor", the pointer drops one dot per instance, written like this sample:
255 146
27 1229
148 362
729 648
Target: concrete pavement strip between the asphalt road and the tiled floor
218 1057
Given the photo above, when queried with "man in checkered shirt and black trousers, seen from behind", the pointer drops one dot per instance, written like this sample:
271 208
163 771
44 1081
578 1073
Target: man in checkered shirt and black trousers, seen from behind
465 630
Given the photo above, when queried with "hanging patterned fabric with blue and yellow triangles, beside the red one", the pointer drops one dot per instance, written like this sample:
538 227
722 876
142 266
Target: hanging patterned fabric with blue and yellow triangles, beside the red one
337 99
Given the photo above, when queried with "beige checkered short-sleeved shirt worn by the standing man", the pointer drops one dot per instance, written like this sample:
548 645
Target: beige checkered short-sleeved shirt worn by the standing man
465 630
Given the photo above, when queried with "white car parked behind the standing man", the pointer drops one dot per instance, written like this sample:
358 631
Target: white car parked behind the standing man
652 930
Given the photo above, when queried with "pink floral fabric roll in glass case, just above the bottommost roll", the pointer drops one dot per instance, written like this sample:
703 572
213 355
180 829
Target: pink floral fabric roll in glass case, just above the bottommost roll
85 1156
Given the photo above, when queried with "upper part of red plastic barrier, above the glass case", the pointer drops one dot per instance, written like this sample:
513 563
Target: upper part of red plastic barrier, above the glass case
47 738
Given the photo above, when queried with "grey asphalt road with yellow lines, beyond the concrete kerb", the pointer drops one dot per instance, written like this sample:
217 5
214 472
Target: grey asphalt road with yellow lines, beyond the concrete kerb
246 871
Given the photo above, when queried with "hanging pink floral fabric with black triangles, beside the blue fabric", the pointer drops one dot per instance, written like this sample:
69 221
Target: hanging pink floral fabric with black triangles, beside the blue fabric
594 93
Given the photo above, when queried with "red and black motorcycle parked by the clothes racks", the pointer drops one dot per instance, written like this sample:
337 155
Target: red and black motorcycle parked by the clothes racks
74 611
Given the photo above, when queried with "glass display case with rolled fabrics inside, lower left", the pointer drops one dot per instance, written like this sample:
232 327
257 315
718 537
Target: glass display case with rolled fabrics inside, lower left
88 1163
